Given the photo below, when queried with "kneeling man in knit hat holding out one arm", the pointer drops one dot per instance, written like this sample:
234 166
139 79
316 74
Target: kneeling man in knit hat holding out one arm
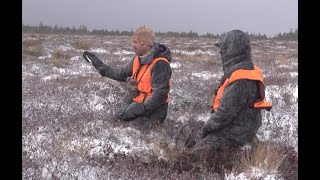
147 75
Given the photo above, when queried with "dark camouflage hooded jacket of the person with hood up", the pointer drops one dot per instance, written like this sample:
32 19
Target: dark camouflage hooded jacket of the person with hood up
235 122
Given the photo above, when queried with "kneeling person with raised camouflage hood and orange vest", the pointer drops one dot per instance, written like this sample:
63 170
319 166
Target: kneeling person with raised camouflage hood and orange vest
240 97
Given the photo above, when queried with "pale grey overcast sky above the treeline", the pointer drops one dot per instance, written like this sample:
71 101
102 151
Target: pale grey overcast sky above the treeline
214 16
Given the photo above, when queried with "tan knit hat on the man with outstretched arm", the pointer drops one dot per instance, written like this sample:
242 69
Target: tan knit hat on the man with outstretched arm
144 35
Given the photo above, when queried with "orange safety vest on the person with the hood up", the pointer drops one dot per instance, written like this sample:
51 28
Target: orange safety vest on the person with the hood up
256 75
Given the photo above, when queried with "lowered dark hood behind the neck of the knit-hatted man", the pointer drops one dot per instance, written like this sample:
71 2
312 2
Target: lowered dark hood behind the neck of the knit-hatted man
157 50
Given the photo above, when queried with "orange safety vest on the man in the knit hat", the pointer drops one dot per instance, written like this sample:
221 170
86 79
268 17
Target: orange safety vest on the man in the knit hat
143 78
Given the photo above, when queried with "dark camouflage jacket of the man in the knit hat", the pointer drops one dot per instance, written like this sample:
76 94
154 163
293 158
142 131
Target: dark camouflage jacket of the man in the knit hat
155 106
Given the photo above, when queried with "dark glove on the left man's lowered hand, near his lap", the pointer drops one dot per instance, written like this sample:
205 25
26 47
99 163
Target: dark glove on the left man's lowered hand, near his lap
132 111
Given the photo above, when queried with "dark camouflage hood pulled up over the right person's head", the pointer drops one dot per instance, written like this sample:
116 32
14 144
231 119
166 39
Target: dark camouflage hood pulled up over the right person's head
234 48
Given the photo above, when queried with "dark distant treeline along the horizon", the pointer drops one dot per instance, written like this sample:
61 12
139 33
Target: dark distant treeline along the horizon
45 29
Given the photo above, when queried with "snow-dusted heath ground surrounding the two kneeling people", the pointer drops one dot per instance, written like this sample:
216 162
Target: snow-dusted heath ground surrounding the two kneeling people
67 124
